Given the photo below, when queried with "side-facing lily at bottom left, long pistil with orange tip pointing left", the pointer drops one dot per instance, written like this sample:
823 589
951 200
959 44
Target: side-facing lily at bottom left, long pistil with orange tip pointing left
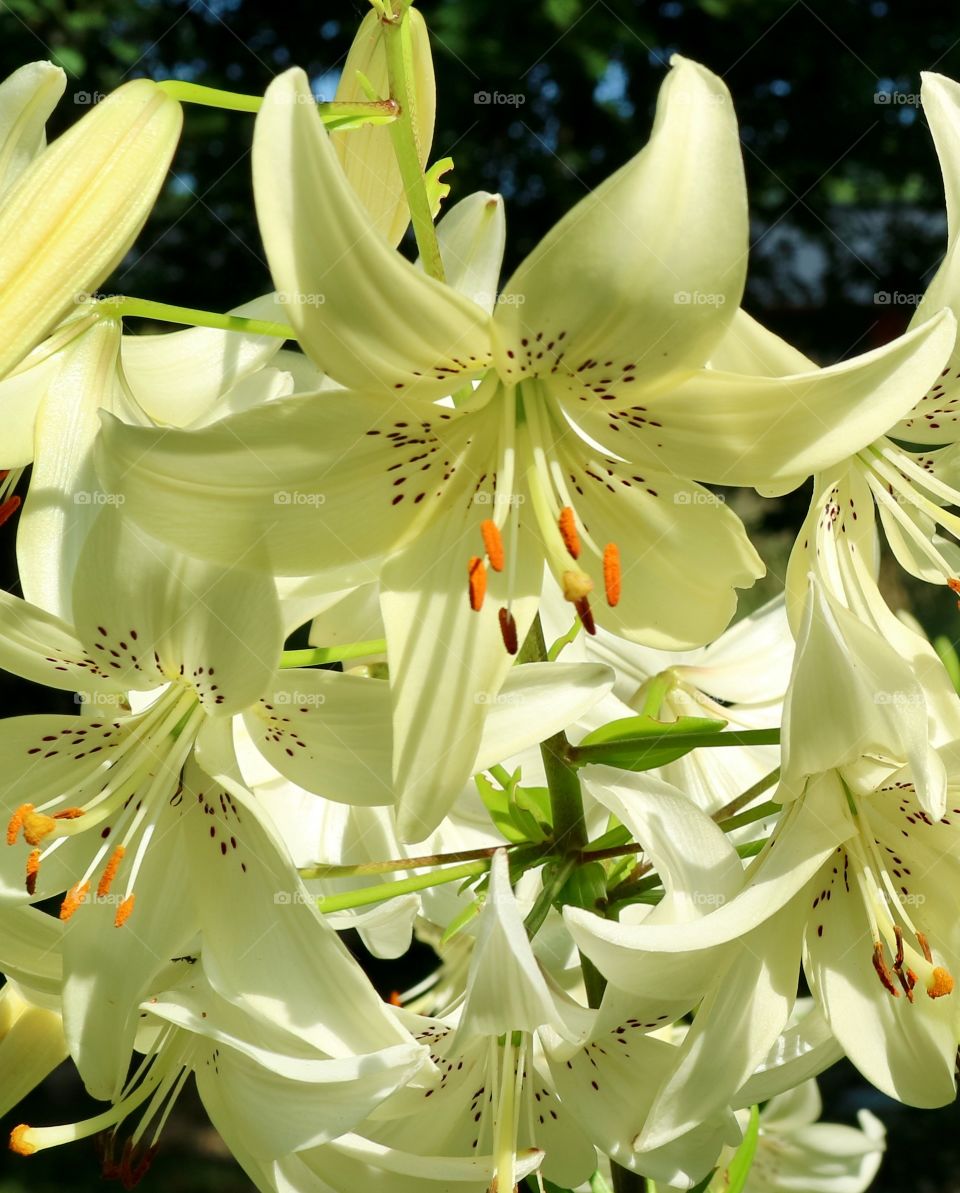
268 1086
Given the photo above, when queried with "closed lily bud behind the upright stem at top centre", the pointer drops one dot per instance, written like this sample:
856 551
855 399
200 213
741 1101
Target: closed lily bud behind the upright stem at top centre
367 154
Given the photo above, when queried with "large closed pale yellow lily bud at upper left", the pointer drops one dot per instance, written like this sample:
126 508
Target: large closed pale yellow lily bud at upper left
71 217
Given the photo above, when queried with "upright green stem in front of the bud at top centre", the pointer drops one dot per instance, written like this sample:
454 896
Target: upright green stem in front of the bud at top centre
406 137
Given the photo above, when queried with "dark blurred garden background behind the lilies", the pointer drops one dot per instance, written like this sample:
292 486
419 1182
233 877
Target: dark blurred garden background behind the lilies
848 226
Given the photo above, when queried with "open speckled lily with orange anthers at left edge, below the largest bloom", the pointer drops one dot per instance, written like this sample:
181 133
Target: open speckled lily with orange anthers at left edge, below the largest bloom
113 806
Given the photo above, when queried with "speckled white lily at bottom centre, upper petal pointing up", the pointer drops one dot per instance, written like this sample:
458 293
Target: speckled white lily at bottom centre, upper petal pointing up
522 1066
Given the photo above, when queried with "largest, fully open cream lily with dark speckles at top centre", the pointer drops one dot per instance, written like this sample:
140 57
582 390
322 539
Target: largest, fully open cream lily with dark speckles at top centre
386 477
